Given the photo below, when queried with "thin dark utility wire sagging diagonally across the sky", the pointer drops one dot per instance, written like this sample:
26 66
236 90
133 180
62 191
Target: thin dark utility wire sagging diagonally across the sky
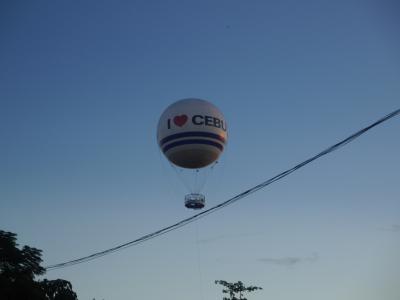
225 203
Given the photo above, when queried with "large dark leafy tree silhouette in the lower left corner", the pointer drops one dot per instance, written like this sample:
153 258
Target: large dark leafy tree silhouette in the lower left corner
18 268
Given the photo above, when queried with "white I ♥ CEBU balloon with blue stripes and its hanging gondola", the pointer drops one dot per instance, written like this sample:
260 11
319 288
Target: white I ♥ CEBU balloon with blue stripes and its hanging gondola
192 134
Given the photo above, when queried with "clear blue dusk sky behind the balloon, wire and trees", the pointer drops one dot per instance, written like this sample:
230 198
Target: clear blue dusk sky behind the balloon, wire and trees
82 86
